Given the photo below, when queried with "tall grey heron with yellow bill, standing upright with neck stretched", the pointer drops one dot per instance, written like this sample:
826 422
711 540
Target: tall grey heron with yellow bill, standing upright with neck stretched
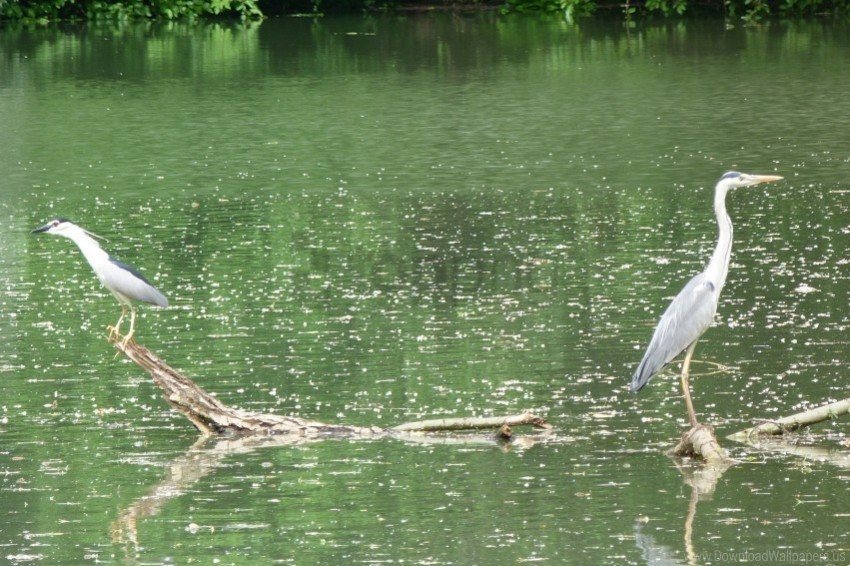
692 311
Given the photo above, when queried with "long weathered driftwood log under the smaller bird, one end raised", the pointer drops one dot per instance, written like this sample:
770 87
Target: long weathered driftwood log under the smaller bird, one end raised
211 416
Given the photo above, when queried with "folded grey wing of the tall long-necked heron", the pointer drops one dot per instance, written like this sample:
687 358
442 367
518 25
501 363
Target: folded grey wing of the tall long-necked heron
688 316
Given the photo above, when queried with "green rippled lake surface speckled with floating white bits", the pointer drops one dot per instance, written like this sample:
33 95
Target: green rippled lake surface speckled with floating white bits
376 220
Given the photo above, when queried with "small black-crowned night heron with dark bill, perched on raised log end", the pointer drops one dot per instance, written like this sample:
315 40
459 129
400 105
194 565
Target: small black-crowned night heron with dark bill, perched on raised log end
123 281
